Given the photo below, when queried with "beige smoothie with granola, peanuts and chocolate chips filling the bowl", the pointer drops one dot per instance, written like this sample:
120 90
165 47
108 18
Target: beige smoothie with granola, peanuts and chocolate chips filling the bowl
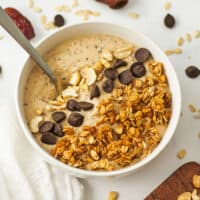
114 109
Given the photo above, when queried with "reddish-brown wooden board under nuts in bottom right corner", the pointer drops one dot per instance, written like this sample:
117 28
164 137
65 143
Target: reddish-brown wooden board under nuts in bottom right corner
180 181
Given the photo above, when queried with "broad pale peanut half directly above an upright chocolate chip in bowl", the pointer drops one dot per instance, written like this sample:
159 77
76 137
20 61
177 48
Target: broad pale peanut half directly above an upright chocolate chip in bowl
89 74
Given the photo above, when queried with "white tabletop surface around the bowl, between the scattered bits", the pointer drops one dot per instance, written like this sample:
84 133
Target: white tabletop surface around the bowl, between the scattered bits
135 186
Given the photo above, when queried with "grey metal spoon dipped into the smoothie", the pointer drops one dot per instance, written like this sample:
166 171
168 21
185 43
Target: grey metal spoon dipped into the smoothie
13 30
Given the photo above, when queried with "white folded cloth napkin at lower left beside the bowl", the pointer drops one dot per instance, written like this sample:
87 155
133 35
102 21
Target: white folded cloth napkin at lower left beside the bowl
24 175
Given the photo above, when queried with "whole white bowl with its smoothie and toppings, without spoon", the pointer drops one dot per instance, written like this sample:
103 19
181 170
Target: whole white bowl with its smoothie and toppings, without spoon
119 106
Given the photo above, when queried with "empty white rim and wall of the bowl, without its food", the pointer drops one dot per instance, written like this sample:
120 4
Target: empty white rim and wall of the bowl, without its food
101 28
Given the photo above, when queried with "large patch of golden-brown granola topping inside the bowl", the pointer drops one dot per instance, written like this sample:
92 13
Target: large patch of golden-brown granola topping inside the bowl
128 128
